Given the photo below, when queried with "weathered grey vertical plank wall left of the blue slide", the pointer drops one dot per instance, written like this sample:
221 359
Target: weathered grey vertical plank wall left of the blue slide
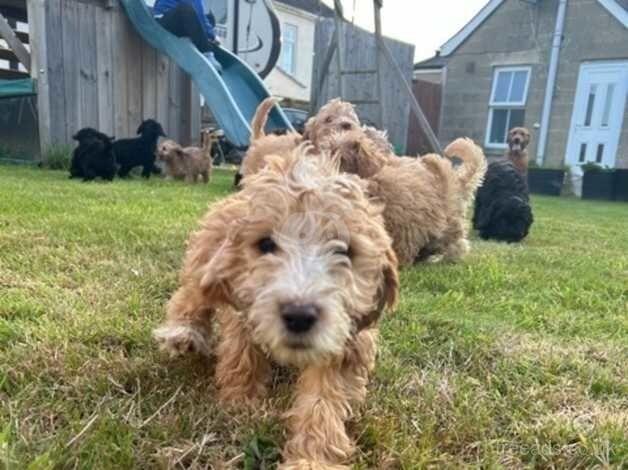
100 73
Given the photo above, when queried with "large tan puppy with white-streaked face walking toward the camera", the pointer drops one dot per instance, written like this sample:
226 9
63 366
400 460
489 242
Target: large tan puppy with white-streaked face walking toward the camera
296 268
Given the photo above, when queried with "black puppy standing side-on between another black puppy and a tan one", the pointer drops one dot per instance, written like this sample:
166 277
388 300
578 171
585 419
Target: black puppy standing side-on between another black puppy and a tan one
139 151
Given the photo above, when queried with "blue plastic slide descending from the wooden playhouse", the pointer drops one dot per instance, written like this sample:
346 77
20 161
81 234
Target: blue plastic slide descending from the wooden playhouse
232 94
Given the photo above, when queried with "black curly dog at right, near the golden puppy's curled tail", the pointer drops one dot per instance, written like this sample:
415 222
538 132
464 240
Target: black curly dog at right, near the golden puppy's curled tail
502 205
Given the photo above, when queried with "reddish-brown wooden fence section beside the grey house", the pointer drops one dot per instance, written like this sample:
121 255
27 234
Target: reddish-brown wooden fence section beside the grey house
429 96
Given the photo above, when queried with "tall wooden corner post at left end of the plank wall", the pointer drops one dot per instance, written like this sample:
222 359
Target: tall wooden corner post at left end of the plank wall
39 69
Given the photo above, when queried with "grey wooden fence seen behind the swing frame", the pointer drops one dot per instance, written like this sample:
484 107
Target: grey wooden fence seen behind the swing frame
360 54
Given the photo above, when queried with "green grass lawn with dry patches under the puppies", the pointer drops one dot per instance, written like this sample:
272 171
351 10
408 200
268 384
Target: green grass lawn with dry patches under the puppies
517 357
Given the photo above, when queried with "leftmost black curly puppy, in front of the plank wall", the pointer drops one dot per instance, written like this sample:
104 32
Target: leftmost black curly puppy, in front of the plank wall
94 156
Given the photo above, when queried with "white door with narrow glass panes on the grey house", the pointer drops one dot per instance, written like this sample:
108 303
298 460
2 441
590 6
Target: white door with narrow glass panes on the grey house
598 113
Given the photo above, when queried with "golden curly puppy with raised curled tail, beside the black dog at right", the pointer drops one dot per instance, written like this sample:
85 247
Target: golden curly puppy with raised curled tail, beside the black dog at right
426 201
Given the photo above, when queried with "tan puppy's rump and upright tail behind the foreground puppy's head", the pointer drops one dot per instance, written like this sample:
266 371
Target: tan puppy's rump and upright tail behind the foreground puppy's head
263 144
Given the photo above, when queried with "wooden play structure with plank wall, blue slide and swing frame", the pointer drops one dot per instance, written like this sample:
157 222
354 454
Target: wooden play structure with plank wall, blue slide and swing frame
108 64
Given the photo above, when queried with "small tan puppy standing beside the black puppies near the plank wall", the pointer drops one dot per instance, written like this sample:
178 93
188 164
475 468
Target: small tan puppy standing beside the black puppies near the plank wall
186 163
